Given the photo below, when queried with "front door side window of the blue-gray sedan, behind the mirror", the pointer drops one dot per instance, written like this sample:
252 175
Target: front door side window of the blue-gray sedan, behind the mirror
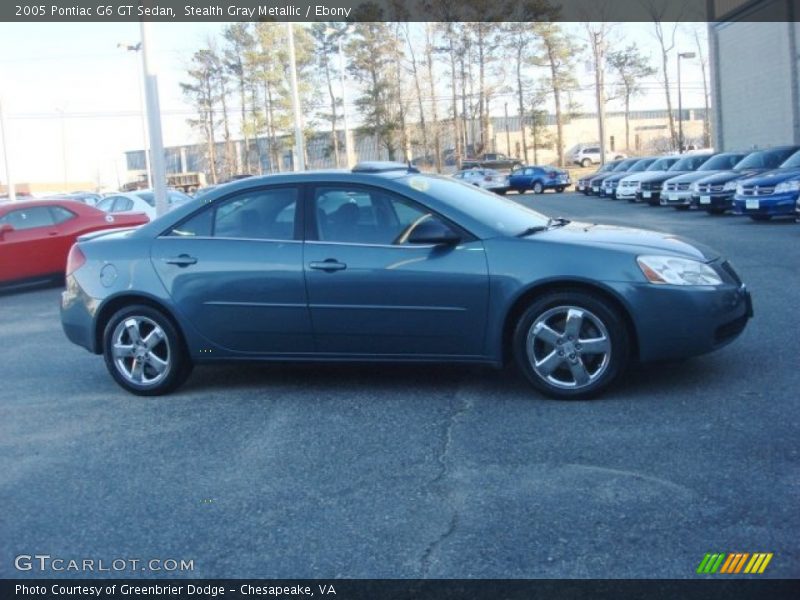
363 215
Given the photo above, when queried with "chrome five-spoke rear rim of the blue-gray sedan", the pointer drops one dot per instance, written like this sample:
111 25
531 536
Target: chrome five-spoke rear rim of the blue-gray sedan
141 351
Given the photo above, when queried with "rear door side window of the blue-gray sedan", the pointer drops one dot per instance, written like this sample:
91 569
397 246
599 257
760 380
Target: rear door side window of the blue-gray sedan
259 214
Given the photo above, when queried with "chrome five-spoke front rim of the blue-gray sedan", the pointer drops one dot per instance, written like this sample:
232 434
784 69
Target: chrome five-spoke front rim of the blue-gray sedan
569 347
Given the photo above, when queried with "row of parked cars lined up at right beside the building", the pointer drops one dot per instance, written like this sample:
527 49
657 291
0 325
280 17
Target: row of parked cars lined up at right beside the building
761 184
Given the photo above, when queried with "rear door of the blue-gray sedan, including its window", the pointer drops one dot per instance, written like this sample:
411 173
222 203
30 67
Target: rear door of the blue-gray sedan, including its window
234 270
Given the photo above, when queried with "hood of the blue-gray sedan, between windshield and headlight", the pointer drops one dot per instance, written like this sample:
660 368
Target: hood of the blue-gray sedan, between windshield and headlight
627 239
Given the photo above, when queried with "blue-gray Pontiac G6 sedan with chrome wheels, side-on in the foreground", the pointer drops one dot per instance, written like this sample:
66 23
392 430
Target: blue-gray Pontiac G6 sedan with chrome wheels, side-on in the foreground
385 264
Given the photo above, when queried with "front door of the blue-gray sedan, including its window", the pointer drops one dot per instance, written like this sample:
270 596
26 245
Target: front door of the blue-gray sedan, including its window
371 293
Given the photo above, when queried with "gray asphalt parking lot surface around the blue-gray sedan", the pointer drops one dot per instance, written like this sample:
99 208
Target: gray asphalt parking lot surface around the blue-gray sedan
402 472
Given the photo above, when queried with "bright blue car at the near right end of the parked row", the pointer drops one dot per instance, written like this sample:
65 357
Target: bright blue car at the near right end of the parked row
770 194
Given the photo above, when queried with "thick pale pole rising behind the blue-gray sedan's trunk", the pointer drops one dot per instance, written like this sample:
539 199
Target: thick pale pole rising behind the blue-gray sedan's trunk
150 70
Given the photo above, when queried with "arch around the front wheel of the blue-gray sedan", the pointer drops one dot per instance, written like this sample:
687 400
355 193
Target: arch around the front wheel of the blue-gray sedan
523 300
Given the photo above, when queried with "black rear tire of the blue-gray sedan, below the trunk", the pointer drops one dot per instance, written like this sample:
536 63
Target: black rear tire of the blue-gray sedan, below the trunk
171 350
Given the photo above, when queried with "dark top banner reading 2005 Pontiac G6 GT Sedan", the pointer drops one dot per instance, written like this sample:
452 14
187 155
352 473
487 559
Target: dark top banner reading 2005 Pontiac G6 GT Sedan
398 10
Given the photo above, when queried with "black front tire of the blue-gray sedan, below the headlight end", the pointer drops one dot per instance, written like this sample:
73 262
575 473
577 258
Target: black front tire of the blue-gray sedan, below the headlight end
602 371
